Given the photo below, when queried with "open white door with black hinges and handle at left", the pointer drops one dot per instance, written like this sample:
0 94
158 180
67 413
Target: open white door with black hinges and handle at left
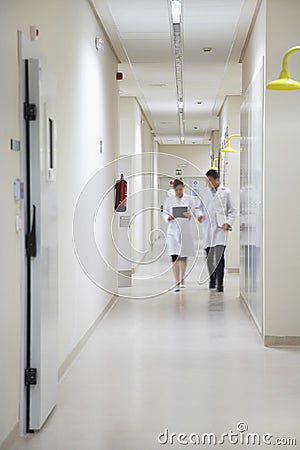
40 271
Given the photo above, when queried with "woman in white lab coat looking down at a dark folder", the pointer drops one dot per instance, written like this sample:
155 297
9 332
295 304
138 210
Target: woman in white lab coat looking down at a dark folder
179 233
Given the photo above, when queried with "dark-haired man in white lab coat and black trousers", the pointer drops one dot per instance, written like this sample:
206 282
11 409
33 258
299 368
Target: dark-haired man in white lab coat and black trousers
216 213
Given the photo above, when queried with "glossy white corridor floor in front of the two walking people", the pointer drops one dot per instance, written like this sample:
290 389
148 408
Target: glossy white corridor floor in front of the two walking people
189 362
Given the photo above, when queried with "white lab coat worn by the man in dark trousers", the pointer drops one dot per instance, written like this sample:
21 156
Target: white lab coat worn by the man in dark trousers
217 209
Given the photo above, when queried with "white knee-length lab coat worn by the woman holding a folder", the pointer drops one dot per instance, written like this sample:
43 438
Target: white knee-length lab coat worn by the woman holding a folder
179 232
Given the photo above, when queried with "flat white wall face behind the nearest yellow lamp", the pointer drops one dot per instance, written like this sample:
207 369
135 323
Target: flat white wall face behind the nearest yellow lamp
282 214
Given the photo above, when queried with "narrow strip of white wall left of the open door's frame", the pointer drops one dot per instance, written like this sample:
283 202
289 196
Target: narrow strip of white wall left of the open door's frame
9 254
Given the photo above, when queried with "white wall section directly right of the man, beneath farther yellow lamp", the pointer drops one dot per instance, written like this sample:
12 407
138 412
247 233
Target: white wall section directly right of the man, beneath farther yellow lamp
230 124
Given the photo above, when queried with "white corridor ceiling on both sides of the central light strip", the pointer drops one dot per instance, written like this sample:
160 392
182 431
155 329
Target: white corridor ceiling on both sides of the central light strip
140 32
